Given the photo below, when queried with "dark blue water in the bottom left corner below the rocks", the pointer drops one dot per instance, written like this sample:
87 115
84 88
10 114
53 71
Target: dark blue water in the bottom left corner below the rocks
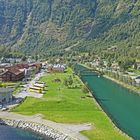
9 133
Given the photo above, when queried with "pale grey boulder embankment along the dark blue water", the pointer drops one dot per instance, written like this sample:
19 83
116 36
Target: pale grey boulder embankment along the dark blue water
35 127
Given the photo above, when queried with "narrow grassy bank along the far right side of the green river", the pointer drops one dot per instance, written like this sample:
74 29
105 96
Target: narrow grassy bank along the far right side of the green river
137 91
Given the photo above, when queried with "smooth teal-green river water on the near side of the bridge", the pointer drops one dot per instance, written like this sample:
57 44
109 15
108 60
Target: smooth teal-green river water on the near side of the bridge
122 105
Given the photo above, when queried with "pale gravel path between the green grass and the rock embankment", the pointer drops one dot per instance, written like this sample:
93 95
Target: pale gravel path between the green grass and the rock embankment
69 129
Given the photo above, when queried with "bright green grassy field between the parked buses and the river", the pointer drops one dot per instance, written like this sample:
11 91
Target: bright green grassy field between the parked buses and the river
65 105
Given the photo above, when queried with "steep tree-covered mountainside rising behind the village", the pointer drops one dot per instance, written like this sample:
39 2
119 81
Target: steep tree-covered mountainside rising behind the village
57 27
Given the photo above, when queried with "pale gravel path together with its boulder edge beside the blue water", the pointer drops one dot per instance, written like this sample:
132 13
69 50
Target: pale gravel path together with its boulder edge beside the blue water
45 127
